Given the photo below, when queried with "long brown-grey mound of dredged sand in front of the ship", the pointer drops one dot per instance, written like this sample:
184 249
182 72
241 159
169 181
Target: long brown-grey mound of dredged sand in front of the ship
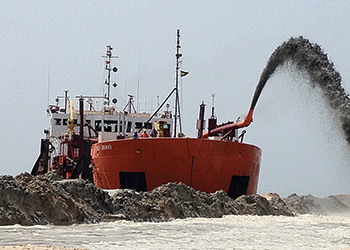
30 200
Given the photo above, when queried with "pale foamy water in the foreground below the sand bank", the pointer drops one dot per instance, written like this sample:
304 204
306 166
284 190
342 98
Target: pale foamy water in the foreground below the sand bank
229 232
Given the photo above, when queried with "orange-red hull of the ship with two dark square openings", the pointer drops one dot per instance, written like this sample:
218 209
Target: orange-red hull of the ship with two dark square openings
206 165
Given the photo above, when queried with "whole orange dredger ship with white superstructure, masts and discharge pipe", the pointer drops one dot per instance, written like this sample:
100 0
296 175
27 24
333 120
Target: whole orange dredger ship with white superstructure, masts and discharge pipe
129 150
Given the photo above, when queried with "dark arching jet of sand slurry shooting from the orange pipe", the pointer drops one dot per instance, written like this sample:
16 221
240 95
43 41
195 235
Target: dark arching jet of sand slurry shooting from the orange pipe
310 57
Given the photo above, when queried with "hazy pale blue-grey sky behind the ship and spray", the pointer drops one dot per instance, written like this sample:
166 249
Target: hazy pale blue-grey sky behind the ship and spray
47 47
